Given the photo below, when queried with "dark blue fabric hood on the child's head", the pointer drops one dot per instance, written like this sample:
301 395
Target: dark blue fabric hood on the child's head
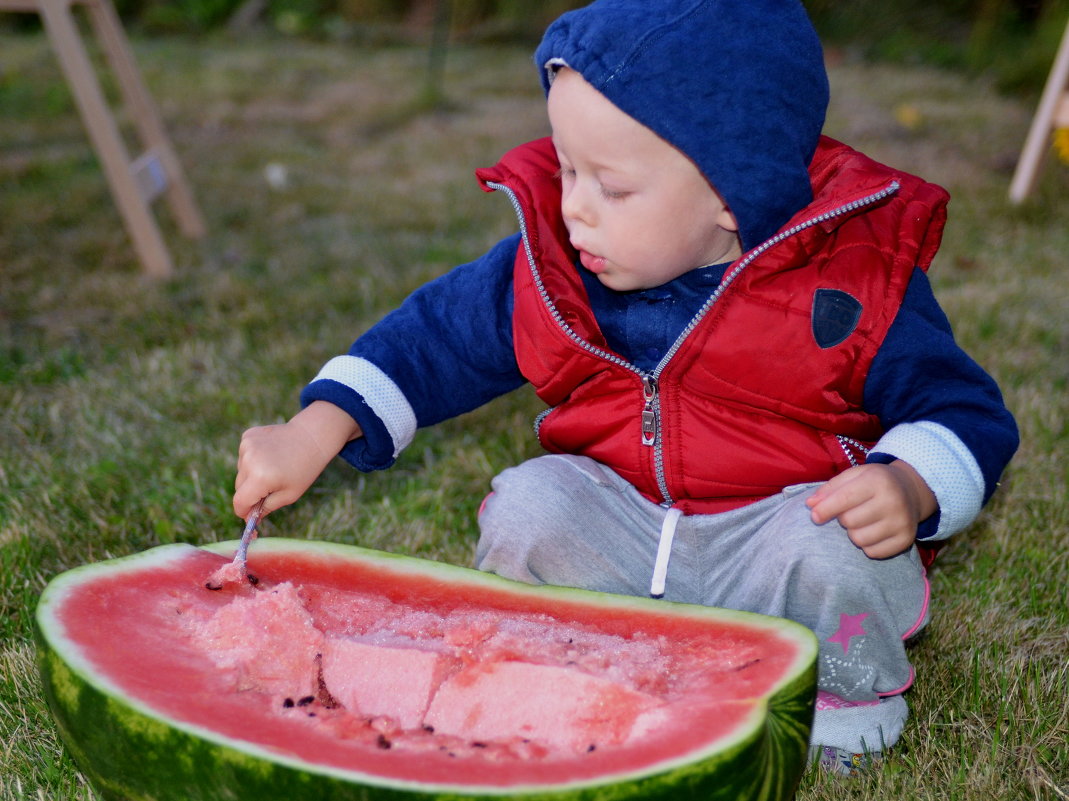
739 86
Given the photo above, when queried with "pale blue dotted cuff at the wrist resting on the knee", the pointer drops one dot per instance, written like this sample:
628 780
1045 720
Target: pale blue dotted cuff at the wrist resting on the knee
946 465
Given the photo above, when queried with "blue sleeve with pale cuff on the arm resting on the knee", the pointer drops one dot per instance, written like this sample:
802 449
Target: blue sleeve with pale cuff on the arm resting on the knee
941 410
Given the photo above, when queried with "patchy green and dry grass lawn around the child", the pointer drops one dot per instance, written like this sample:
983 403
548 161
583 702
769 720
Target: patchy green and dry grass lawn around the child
122 400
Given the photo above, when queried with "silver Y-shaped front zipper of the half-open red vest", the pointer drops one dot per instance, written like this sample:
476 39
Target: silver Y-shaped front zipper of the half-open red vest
652 395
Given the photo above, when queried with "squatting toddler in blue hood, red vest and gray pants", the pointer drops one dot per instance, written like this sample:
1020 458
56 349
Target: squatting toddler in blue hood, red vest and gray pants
754 399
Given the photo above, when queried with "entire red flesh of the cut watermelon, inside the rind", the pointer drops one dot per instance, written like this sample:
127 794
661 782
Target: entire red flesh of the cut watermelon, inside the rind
355 666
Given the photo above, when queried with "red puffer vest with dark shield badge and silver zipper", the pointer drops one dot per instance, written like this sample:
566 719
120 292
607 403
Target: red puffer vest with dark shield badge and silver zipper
755 396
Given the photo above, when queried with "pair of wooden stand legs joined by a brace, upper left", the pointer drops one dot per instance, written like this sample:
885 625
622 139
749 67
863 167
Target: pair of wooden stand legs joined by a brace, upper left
135 183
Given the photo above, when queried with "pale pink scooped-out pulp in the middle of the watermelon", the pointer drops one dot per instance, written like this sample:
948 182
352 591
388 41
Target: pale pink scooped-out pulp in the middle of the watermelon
268 638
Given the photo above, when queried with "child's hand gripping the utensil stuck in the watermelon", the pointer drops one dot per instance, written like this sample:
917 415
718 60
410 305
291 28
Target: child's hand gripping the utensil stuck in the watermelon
284 461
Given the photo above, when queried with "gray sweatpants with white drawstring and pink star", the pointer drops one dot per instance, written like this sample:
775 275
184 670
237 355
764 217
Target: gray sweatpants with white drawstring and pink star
570 521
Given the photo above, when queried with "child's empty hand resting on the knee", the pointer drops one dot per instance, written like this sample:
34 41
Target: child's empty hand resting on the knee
879 505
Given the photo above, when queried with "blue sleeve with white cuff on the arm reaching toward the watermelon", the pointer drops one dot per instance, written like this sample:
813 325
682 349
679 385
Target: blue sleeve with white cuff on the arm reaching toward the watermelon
445 351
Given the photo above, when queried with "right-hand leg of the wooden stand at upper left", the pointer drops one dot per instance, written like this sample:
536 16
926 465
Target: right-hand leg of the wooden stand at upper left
110 30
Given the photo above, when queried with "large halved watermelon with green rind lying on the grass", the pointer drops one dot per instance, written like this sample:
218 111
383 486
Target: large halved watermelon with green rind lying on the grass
353 674
